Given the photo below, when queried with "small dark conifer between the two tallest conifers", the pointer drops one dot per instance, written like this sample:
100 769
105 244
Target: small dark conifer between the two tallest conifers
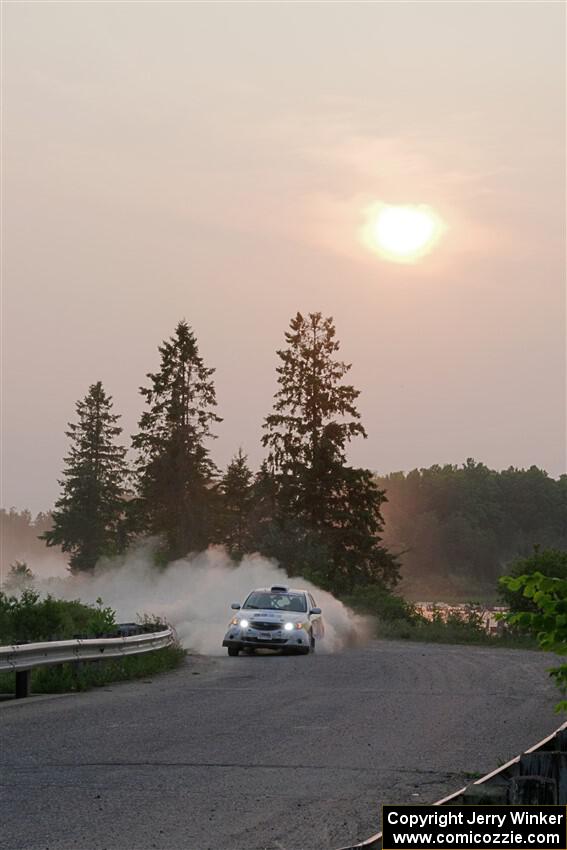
237 500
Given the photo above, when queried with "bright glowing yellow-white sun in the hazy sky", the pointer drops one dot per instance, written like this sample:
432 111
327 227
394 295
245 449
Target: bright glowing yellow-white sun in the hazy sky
402 233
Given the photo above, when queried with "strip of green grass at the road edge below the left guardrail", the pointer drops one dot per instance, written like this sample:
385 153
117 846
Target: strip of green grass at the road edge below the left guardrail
95 674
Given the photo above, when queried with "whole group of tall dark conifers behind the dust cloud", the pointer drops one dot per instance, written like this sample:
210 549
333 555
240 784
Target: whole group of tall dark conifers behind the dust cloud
305 506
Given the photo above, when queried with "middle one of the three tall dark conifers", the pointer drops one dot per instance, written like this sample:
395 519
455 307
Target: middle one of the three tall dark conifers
175 472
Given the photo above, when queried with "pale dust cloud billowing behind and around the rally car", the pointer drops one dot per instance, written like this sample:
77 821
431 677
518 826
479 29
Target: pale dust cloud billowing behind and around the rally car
194 595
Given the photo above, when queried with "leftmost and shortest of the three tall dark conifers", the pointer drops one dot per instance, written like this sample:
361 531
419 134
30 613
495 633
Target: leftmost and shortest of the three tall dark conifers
88 516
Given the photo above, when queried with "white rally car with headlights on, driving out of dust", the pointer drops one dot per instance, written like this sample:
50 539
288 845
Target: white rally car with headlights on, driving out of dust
275 618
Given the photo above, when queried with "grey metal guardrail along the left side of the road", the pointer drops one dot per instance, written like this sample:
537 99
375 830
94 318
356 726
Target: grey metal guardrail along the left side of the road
22 658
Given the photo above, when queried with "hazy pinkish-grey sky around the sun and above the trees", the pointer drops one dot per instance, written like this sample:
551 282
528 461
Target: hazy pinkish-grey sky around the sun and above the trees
214 161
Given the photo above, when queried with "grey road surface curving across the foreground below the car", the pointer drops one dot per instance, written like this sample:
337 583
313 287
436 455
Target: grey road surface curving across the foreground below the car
264 753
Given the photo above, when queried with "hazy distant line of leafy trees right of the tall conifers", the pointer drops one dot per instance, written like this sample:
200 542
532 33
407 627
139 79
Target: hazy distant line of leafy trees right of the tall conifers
459 527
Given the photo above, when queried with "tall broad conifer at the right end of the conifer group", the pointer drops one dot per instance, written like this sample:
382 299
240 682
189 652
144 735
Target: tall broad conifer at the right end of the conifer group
327 516
